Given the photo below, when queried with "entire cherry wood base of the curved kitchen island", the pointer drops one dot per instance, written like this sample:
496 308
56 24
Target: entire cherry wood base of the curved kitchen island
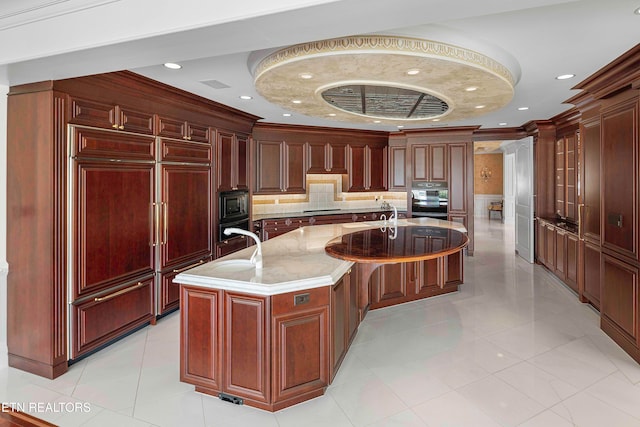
272 352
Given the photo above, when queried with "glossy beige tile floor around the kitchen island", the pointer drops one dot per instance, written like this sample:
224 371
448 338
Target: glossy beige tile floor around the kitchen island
513 348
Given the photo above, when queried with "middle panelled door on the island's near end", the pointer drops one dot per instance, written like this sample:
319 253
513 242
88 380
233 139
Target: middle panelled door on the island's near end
246 342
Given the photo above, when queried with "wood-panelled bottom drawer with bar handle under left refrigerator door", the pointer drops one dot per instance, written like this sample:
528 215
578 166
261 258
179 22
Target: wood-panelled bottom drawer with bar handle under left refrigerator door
108 316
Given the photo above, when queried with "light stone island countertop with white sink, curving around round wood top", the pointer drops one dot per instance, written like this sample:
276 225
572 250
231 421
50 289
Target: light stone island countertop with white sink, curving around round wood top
292 262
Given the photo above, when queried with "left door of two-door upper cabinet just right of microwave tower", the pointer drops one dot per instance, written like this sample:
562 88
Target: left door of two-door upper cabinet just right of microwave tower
269 167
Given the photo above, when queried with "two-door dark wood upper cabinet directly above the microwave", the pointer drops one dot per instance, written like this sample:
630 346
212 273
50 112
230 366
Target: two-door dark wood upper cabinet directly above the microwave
232 161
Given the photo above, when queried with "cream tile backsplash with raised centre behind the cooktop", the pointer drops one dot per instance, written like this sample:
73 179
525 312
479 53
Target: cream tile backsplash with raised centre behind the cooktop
324 191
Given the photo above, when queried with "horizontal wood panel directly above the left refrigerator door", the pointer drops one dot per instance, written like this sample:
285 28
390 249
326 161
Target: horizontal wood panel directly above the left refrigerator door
96 143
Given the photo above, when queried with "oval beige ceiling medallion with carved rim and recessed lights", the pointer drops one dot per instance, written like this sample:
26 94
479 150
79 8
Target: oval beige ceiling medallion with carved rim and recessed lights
360 78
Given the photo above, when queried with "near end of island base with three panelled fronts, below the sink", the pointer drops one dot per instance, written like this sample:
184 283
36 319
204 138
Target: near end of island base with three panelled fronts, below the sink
269 352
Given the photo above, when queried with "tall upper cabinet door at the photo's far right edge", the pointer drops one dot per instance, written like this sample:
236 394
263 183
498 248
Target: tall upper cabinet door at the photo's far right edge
620 178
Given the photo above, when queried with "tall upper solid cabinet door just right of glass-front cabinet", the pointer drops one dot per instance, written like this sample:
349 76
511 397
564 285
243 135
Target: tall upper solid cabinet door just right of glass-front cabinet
590 180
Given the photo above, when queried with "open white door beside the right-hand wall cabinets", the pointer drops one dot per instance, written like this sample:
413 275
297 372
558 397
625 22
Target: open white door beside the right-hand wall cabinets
524 198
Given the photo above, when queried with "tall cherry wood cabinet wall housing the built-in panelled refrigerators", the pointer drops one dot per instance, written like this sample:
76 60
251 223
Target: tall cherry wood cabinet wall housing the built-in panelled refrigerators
110 195
